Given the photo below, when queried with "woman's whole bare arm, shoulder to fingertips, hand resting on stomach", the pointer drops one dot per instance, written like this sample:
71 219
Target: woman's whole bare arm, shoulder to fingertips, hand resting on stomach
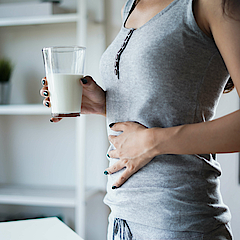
218 136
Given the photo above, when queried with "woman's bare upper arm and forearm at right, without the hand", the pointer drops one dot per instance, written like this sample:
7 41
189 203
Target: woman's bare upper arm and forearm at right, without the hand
221 135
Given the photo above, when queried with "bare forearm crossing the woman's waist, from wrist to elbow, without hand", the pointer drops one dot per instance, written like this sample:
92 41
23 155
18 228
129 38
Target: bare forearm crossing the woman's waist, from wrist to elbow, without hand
218 136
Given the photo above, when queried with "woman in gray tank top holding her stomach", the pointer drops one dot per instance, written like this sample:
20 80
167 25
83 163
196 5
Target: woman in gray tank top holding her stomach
164 74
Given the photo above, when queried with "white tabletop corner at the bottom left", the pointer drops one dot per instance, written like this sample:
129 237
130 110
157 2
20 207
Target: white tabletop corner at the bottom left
37 229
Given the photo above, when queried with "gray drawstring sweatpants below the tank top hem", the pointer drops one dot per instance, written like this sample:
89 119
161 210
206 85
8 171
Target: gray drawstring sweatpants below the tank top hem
120 229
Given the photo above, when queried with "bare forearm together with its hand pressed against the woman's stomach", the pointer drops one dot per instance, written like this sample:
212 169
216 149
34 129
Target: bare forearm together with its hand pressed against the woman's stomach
138 145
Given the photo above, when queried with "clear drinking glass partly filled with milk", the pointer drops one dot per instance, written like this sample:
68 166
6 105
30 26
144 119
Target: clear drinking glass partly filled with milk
64 66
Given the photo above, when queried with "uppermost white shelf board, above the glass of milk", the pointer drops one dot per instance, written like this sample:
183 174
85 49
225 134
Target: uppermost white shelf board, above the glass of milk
58 18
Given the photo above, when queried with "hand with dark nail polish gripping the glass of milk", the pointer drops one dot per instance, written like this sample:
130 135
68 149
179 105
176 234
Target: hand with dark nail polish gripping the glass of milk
93 97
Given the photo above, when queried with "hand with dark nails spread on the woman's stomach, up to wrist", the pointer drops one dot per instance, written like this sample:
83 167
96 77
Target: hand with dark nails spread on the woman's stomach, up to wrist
134 148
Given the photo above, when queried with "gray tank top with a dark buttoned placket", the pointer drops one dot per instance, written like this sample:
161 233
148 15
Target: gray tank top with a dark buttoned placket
163 74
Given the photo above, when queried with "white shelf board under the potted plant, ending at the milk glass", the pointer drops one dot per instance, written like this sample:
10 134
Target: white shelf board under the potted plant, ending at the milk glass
26 109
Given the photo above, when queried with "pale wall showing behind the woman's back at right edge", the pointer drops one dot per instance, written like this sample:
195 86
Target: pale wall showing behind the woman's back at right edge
230 186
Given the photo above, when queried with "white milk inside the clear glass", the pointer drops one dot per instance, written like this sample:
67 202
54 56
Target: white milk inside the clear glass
65 93
